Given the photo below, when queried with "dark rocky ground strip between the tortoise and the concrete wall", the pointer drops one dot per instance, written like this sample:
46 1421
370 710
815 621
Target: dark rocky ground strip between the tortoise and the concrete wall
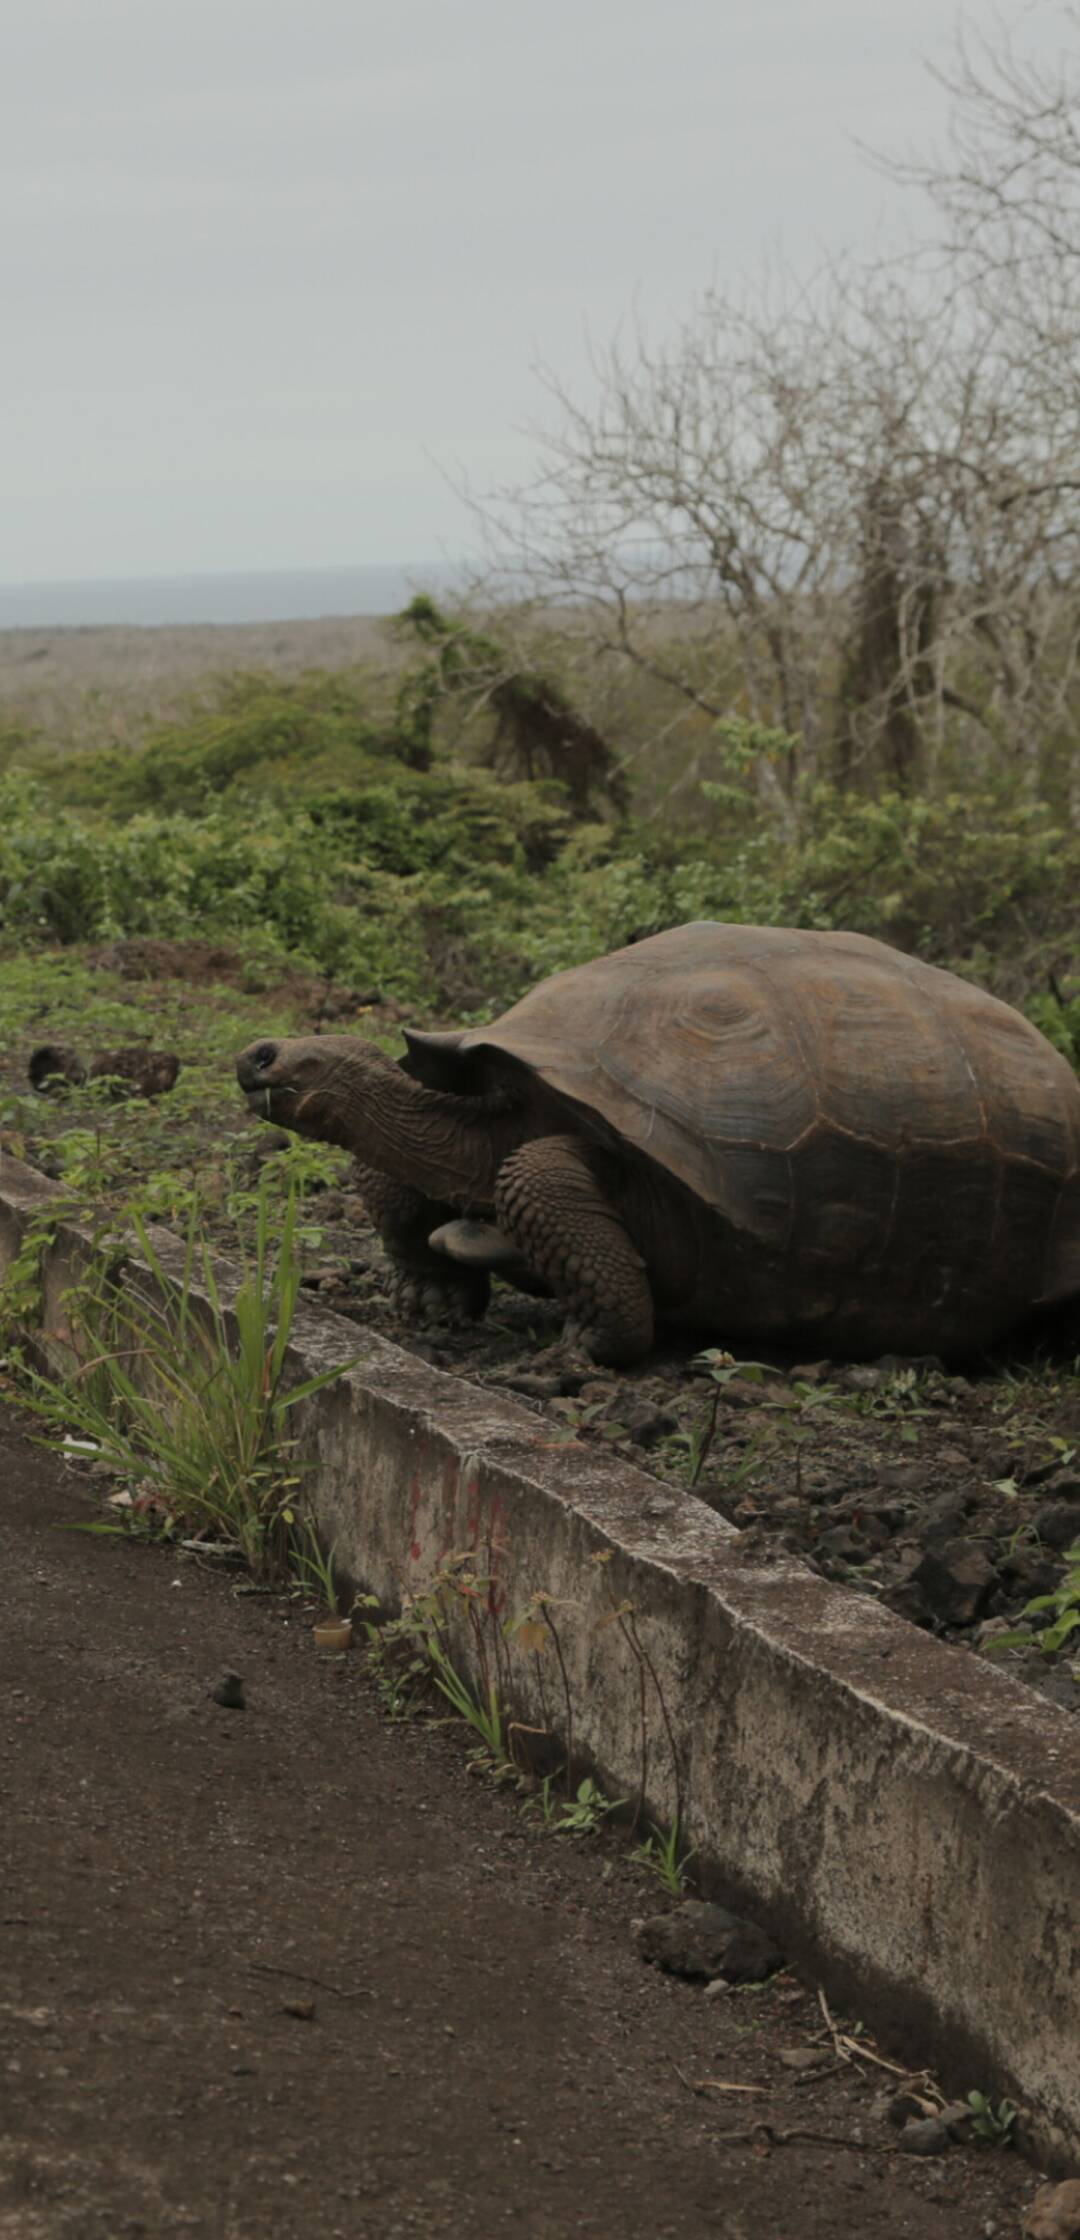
951 1497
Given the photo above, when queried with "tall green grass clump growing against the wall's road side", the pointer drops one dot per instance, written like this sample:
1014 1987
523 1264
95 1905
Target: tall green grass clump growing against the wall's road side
185 1403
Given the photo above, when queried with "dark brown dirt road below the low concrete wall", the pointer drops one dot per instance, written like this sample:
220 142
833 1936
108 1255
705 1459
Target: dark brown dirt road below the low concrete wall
292 1970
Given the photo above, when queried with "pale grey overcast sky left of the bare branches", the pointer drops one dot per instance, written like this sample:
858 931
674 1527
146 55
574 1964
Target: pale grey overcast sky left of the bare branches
266 265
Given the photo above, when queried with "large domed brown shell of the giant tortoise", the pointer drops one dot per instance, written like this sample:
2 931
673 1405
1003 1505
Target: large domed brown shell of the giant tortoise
888 1152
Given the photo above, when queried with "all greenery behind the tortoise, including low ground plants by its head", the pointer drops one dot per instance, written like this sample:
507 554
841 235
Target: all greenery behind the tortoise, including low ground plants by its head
333 834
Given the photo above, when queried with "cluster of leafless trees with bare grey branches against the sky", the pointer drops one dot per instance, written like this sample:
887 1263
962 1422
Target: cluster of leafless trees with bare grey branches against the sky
848 514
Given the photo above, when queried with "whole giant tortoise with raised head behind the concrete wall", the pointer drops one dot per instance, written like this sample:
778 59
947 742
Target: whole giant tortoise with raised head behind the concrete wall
754 1132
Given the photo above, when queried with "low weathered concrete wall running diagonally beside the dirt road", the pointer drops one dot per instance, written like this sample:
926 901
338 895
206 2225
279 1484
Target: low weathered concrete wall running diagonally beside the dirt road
904 1818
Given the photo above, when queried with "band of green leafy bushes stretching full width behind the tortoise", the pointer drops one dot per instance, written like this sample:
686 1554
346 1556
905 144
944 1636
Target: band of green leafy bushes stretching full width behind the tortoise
292 812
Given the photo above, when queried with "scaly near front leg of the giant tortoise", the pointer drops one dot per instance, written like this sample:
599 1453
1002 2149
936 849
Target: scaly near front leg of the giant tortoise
552 1206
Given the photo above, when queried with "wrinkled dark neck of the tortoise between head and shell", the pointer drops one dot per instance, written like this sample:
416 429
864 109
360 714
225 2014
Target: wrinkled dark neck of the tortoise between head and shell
438 1144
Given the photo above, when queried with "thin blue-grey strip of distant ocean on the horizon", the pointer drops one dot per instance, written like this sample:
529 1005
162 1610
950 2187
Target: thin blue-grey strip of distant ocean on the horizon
270 597
